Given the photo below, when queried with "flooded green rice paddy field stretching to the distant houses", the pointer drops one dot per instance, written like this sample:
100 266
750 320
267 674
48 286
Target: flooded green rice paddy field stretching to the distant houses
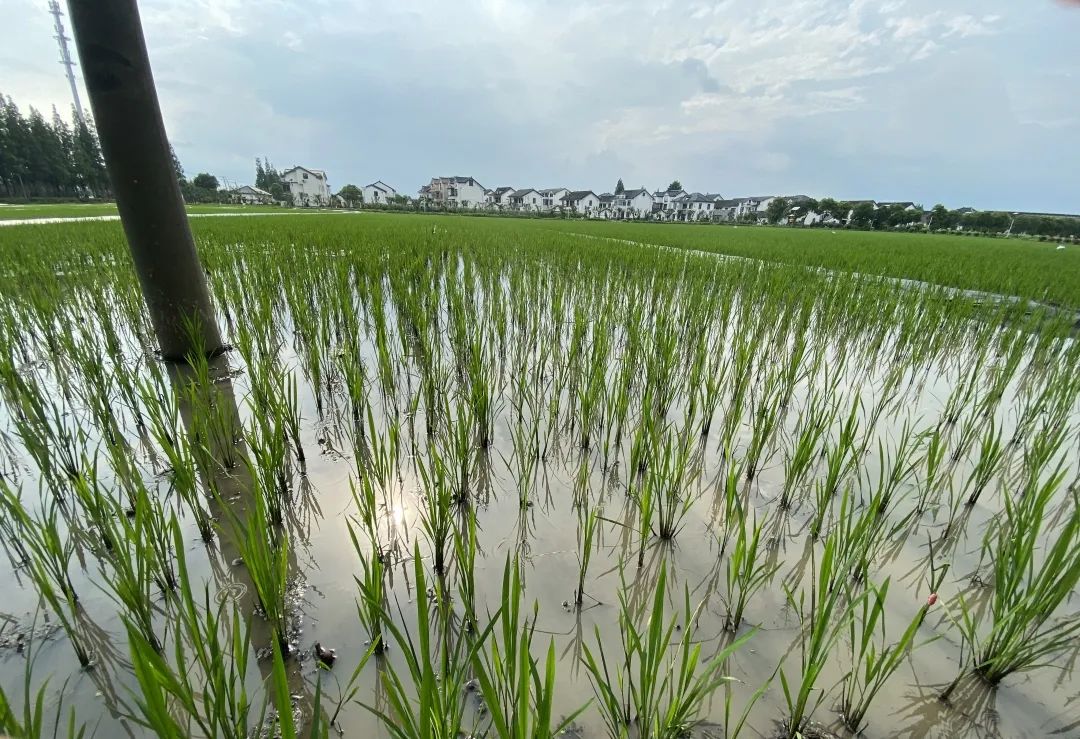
480 478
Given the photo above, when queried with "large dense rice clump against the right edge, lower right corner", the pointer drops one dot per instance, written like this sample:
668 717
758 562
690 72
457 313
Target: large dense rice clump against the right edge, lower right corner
1025 628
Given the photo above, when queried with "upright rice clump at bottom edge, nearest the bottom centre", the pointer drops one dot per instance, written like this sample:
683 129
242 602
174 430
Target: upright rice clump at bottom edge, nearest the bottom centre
518 696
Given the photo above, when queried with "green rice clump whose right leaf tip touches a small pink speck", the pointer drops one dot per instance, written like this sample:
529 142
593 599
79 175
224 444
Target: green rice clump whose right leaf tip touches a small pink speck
873 660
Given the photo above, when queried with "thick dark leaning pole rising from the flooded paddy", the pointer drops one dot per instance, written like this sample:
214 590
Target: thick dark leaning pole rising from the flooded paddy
109 35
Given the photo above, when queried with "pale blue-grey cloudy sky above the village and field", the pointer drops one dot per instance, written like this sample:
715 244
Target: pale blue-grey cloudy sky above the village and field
962 102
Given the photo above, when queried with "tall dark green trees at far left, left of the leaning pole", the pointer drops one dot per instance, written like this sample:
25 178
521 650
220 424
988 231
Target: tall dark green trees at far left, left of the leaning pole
43 158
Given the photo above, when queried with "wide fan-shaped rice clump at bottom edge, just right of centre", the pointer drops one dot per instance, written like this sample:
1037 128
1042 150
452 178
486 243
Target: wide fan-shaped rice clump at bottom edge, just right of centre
657 688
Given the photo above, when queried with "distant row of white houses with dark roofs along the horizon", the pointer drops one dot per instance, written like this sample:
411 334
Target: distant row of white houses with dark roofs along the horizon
306 187
